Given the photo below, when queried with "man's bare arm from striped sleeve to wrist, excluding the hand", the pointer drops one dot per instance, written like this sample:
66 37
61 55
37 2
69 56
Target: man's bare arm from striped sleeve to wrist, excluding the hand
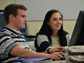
24 53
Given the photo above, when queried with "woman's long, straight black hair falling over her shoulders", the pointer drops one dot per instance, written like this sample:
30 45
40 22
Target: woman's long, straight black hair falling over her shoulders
46 30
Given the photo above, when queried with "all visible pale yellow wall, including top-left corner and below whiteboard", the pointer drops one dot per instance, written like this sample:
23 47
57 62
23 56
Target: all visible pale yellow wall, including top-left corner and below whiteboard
34 26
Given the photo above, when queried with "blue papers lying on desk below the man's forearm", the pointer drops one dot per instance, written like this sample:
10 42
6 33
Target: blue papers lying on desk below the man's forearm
33 60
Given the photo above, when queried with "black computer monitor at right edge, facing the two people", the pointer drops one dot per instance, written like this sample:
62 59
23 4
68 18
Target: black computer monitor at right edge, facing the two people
78 32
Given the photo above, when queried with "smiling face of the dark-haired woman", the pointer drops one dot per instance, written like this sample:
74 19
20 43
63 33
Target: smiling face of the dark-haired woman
55 21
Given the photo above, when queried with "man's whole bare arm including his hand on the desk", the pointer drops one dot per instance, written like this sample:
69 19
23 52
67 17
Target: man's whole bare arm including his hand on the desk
26 53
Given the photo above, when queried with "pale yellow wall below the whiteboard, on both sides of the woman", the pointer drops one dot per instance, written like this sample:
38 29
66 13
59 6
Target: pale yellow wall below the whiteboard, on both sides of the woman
34 26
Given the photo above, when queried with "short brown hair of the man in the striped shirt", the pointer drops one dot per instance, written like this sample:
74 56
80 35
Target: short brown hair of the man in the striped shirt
12 9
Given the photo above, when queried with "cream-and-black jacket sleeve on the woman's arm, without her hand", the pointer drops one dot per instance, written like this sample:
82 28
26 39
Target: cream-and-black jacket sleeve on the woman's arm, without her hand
42 43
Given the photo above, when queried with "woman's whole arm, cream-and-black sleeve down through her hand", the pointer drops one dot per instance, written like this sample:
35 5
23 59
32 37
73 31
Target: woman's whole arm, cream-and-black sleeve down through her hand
44 45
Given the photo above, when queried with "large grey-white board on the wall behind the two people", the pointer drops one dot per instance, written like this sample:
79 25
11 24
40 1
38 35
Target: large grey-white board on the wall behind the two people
38 8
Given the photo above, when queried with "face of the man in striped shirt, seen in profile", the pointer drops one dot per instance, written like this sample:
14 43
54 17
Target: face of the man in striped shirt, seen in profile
20 19
